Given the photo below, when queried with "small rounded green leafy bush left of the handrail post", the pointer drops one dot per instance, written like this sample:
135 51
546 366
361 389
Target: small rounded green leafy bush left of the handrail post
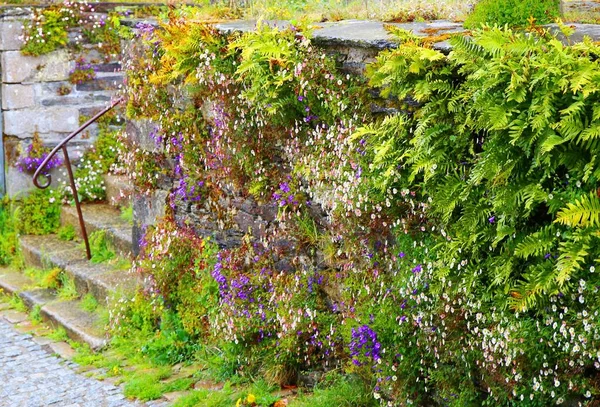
38 213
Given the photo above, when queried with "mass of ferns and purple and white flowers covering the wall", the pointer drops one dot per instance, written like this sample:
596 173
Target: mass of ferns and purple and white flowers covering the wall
455 263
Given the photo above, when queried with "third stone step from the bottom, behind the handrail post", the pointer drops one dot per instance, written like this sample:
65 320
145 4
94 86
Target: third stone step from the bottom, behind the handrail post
102 217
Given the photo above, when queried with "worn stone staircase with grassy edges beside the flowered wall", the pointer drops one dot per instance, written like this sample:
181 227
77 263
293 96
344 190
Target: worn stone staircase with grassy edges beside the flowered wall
104 281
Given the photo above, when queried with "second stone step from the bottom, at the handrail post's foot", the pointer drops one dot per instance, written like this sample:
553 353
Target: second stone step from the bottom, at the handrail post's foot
103 281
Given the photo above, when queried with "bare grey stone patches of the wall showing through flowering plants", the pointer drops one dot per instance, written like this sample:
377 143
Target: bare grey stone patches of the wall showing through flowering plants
354 44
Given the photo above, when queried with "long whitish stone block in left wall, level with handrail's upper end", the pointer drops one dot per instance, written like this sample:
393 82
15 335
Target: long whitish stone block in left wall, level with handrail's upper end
23 123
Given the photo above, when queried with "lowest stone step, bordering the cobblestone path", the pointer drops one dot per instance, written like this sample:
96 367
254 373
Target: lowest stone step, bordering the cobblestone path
80 325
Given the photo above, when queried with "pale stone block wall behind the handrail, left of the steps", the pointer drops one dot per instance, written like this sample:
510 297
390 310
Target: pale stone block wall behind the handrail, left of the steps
38 97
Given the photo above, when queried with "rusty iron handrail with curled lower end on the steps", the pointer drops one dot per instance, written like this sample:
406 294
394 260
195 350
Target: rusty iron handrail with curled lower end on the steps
63 146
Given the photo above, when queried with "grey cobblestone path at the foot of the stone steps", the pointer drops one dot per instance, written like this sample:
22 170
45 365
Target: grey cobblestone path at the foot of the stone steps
32 377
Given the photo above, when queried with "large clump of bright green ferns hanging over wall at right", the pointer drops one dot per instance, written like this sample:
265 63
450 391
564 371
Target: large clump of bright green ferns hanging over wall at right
520 131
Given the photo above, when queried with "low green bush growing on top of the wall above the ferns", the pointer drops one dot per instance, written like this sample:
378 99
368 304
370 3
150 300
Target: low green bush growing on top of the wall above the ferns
513 12
